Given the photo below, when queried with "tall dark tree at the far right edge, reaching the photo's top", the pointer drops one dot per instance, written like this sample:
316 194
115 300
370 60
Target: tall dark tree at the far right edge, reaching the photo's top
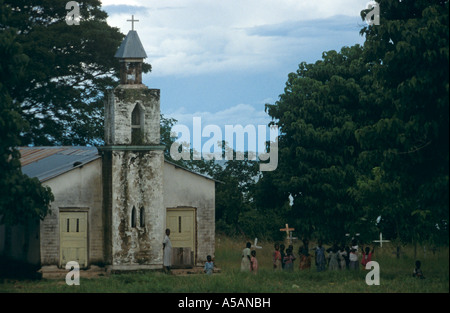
409 141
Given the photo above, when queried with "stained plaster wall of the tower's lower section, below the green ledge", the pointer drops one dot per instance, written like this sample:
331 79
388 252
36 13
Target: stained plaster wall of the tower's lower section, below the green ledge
137 181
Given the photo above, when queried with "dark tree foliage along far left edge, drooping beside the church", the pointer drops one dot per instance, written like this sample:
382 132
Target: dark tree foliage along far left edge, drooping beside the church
22 199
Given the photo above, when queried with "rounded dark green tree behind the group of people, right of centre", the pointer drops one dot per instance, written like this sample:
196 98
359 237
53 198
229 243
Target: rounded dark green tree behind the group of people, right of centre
323 105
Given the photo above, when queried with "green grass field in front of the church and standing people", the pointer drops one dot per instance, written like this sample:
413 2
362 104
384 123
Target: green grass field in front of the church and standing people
395 276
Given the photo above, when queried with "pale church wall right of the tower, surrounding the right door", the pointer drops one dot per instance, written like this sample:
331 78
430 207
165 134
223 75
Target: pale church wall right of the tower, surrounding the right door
185 189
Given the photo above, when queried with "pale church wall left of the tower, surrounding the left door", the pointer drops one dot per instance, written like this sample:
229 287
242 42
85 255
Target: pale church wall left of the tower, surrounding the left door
81 189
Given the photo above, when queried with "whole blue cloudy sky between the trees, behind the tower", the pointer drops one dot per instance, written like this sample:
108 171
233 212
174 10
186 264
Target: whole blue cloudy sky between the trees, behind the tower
224 60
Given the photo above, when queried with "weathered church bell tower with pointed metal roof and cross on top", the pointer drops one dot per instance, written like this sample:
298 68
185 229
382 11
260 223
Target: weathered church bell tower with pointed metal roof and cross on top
133 162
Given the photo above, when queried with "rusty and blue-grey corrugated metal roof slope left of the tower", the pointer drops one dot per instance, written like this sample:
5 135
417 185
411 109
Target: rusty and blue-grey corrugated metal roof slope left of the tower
48 162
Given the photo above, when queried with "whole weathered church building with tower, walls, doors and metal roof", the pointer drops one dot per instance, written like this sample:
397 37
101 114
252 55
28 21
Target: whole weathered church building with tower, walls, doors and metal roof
114 202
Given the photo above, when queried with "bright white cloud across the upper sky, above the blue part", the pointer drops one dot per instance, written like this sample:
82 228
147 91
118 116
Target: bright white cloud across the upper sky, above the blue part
192 37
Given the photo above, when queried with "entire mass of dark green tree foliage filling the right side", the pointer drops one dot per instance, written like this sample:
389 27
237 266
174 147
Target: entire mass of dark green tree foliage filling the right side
364 131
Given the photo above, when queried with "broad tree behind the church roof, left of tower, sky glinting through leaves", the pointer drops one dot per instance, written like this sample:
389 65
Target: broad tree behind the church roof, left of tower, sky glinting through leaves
70 67
